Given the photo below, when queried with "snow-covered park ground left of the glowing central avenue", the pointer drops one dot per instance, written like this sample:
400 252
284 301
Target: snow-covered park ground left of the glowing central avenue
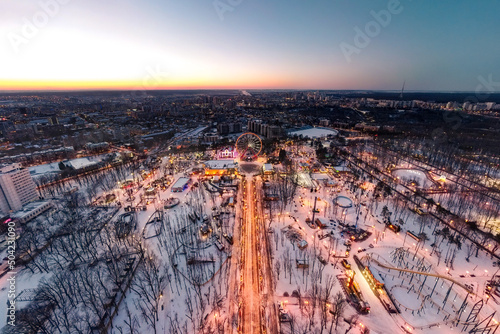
196 279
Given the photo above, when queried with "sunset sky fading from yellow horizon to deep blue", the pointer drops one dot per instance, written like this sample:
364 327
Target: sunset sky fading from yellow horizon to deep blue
289 44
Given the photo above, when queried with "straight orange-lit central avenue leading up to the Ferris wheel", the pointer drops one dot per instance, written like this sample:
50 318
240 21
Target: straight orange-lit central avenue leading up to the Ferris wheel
251 291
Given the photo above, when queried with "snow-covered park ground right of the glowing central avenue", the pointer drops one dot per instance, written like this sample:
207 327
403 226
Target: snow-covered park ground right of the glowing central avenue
434 315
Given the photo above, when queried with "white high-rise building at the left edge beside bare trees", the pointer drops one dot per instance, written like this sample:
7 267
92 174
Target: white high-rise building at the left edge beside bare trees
16 188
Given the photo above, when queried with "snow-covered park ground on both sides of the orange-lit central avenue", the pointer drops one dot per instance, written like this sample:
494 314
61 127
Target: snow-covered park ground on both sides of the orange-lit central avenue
195 261
